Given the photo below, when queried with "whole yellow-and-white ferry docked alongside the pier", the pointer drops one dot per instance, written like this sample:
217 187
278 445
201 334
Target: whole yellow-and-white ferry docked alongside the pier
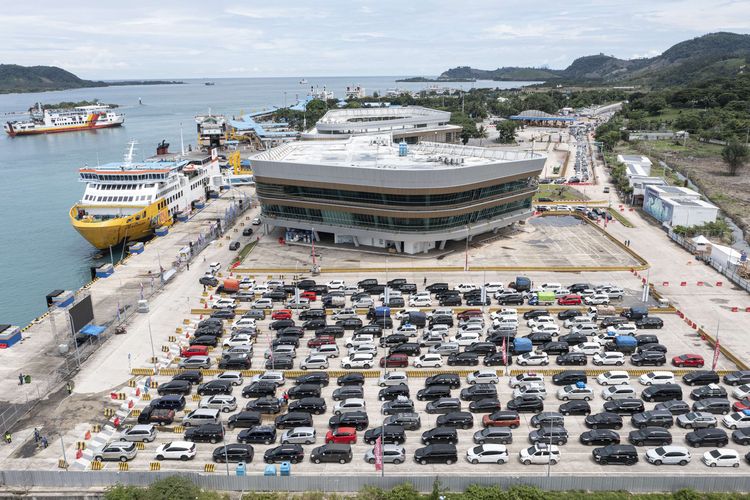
126 201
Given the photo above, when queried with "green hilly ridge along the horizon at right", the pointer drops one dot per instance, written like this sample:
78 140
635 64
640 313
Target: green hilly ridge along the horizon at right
709 56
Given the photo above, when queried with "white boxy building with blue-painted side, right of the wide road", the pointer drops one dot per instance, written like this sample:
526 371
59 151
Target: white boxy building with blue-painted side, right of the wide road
678 206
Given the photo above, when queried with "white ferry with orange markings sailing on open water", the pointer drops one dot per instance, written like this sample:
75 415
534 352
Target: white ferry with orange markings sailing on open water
49 121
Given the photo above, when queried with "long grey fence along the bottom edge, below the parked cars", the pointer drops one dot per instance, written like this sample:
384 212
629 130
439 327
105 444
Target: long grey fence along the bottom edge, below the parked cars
296 483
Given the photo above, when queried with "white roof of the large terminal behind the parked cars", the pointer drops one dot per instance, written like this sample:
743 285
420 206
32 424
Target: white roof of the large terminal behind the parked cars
379 152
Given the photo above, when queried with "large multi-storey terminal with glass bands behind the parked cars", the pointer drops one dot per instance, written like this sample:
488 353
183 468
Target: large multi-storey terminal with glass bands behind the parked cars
371 191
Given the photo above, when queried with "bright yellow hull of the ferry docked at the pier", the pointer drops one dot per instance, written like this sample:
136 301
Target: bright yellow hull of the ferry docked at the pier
107 233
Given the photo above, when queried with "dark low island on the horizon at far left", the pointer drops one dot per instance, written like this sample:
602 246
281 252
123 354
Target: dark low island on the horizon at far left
16 79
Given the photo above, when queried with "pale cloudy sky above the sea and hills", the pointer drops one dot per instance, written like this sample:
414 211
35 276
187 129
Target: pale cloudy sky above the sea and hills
220 38
